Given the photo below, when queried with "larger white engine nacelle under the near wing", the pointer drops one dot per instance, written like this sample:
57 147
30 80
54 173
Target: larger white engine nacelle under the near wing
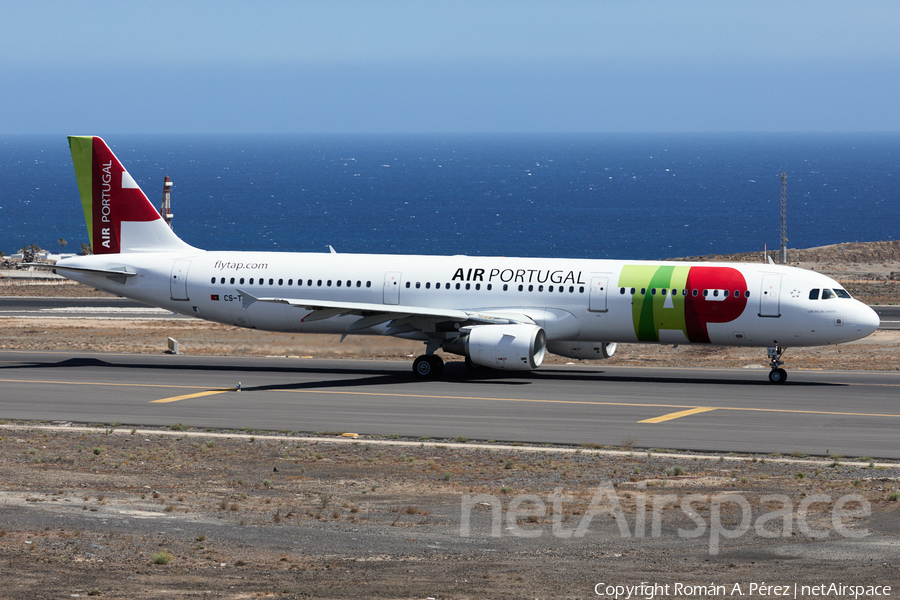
509 347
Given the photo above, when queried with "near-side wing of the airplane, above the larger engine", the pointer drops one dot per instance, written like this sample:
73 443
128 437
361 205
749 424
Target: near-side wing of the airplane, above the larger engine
407 318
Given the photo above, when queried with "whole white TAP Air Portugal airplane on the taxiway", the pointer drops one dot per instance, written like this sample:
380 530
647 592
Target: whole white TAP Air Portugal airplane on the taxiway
497 312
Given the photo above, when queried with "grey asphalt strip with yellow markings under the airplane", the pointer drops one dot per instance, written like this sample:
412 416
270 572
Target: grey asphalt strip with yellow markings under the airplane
729 410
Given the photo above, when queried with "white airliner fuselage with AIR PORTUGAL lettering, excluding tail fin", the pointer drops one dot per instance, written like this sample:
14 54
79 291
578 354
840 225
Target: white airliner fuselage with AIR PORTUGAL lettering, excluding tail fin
571 299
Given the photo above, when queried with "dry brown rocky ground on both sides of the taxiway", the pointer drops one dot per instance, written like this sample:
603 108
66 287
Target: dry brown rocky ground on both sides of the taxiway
121 513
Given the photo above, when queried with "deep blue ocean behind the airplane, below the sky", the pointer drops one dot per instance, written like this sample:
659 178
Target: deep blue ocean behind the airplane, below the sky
582 196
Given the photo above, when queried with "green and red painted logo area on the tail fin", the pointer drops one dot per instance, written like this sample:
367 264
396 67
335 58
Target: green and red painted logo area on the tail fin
109 195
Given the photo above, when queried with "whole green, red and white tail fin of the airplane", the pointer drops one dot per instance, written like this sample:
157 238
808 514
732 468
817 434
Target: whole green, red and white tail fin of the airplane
119 216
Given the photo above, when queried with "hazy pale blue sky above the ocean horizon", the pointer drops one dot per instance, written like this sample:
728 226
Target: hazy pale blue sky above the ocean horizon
108 67
